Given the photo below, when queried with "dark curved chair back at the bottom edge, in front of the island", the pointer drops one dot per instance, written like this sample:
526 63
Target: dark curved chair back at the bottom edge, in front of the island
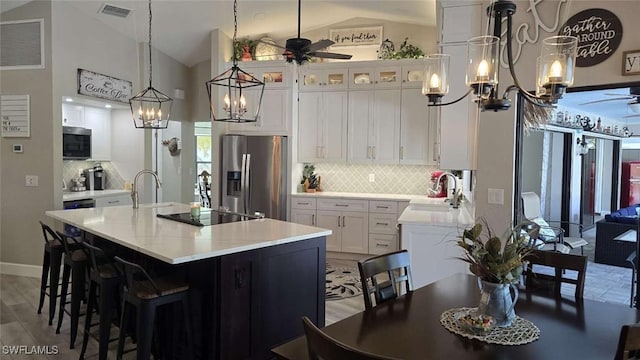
323 346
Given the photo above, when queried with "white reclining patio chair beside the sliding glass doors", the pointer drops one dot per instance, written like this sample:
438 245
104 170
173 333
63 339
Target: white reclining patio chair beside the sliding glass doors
553 237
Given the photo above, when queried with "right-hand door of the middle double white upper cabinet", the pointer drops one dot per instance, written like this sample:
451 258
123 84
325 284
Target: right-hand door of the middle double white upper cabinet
385 131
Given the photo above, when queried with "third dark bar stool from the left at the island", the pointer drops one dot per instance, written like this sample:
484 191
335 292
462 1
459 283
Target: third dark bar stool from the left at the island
105 275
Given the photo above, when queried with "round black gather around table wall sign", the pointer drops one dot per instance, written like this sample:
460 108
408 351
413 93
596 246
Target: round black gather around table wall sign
599 34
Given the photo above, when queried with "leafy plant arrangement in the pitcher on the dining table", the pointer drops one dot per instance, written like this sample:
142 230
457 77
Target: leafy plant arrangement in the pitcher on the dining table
492 261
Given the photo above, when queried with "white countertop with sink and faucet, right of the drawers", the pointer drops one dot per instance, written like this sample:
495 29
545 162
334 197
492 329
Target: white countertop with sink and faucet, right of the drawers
451 217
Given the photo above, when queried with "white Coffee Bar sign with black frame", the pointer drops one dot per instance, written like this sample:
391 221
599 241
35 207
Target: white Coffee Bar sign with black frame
103 86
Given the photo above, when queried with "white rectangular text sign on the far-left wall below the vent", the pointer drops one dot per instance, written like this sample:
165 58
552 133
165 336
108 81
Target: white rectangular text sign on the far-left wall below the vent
16 118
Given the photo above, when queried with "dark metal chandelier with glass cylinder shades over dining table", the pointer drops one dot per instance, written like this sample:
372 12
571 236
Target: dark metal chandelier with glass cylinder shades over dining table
555 67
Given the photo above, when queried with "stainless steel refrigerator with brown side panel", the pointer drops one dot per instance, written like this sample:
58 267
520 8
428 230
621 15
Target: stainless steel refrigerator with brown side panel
254 175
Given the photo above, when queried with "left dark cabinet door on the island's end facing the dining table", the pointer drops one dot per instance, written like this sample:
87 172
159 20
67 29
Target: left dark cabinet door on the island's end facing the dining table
238 310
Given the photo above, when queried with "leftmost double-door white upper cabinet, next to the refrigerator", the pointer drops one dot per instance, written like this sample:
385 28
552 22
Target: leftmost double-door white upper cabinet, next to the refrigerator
322 126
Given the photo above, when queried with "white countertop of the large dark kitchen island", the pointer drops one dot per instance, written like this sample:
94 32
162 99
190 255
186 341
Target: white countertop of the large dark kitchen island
174 242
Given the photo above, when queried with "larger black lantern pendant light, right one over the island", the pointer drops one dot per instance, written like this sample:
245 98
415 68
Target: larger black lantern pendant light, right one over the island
233 84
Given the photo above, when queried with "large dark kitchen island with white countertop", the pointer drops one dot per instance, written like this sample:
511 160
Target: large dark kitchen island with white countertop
250 281
